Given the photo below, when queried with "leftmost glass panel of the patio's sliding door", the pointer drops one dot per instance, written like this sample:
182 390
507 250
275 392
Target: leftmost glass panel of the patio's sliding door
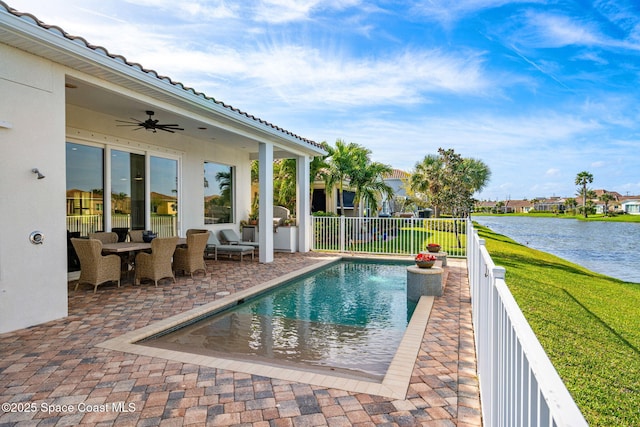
85 189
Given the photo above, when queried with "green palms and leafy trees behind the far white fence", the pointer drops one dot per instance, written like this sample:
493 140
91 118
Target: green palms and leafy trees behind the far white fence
445 182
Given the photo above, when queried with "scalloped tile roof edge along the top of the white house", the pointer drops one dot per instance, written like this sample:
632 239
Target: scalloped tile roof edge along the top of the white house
77 39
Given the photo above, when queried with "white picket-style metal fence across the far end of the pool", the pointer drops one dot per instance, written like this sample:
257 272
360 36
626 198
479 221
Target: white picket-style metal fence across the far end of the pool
388 235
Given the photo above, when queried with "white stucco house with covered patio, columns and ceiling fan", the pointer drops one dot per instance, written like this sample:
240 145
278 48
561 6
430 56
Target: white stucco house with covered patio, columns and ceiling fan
90 141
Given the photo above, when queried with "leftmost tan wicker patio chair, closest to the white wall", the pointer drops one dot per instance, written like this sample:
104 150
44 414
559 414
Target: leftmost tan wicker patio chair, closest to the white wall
95 268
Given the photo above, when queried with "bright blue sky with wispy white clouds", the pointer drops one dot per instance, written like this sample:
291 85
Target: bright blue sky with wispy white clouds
538 90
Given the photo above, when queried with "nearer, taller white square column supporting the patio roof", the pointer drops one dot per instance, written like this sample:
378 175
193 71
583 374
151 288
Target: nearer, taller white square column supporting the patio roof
265 210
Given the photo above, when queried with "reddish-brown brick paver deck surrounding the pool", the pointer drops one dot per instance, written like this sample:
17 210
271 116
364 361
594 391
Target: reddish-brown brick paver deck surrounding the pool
55 374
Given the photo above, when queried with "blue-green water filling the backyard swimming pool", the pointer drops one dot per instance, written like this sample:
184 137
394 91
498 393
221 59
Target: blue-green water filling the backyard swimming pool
349 317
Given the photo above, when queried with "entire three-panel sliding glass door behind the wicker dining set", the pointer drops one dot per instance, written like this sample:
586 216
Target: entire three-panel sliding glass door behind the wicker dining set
143 191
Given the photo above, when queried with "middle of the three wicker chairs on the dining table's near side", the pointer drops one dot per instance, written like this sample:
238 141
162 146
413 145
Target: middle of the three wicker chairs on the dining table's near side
157 264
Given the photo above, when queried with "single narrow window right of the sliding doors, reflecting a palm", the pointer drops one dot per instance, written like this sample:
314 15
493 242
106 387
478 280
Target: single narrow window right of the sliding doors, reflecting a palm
218 193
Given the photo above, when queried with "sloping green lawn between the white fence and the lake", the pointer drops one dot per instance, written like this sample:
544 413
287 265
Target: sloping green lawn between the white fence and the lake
588 324
